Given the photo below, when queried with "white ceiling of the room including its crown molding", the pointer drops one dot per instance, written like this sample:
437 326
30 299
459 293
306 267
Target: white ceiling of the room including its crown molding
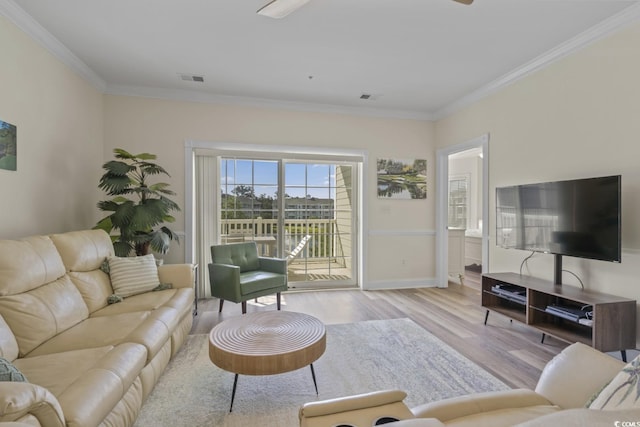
418 58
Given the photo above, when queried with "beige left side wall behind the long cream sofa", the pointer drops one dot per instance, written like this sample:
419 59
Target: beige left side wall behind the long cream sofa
59 127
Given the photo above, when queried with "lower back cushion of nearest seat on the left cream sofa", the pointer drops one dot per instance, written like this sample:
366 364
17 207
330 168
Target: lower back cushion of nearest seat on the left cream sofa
39 315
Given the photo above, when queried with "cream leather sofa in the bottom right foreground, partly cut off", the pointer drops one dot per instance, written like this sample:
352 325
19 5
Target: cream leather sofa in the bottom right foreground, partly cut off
567 385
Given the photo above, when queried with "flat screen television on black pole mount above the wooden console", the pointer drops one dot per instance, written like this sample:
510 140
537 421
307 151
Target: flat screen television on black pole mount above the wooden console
578 218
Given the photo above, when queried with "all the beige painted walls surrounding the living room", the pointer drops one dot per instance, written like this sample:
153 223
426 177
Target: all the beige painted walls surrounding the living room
575 118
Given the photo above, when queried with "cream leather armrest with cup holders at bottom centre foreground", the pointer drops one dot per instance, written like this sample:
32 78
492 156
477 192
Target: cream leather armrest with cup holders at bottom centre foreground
361 409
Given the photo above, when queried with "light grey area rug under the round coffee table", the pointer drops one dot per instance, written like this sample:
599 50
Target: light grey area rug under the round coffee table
360 357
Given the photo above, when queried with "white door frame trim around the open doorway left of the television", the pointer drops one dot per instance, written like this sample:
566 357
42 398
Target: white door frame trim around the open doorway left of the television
442 205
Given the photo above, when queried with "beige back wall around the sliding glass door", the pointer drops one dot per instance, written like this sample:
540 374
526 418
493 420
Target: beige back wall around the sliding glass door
162 127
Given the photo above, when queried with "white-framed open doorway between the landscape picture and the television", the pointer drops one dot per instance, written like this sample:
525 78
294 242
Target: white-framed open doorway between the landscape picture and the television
462 211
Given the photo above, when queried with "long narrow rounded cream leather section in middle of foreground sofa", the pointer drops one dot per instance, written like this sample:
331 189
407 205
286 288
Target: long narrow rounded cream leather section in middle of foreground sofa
462 406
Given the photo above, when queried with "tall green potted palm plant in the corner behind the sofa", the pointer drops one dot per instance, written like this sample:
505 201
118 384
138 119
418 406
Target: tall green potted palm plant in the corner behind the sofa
137 207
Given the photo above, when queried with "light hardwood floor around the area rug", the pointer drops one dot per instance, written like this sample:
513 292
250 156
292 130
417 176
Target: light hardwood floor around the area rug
511 351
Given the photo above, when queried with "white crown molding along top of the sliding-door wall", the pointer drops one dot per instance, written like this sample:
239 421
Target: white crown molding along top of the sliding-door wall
211 98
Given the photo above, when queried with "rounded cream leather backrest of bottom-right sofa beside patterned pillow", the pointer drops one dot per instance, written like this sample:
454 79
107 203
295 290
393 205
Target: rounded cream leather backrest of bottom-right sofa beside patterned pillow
573 376
